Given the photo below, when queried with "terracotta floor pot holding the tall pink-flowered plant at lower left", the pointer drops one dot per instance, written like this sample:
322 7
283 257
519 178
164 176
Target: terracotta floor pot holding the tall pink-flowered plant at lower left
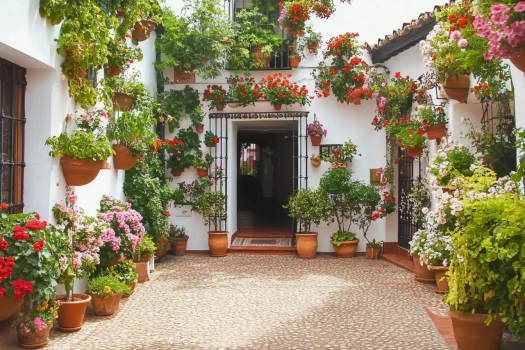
71 313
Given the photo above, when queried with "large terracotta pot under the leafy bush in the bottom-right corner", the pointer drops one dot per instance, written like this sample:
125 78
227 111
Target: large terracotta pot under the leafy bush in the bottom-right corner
472 333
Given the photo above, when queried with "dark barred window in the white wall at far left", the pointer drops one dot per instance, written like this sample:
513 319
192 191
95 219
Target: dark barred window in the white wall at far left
12 124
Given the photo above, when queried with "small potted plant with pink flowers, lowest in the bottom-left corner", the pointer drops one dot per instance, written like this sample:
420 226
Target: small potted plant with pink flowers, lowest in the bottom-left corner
34 327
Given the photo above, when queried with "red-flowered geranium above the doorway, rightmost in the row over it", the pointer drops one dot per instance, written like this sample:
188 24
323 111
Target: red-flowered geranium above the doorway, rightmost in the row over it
278 90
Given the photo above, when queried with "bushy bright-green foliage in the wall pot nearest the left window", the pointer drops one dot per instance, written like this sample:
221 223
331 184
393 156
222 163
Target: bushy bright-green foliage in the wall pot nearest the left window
80 145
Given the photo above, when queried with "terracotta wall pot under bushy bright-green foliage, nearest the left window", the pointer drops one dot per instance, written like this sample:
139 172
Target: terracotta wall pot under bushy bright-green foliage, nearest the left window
79 172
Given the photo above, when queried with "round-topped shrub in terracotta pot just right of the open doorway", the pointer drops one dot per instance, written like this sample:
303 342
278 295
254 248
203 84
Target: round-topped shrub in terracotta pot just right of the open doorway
308 207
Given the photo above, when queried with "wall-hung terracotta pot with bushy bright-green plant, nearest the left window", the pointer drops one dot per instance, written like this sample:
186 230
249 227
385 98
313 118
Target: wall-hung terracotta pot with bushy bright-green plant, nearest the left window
83 155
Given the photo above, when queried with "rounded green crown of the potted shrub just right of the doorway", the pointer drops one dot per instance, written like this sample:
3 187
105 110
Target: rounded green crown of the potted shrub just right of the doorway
308 207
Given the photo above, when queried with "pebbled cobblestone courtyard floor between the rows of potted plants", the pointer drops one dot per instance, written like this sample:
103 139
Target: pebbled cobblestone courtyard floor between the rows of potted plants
268 302
